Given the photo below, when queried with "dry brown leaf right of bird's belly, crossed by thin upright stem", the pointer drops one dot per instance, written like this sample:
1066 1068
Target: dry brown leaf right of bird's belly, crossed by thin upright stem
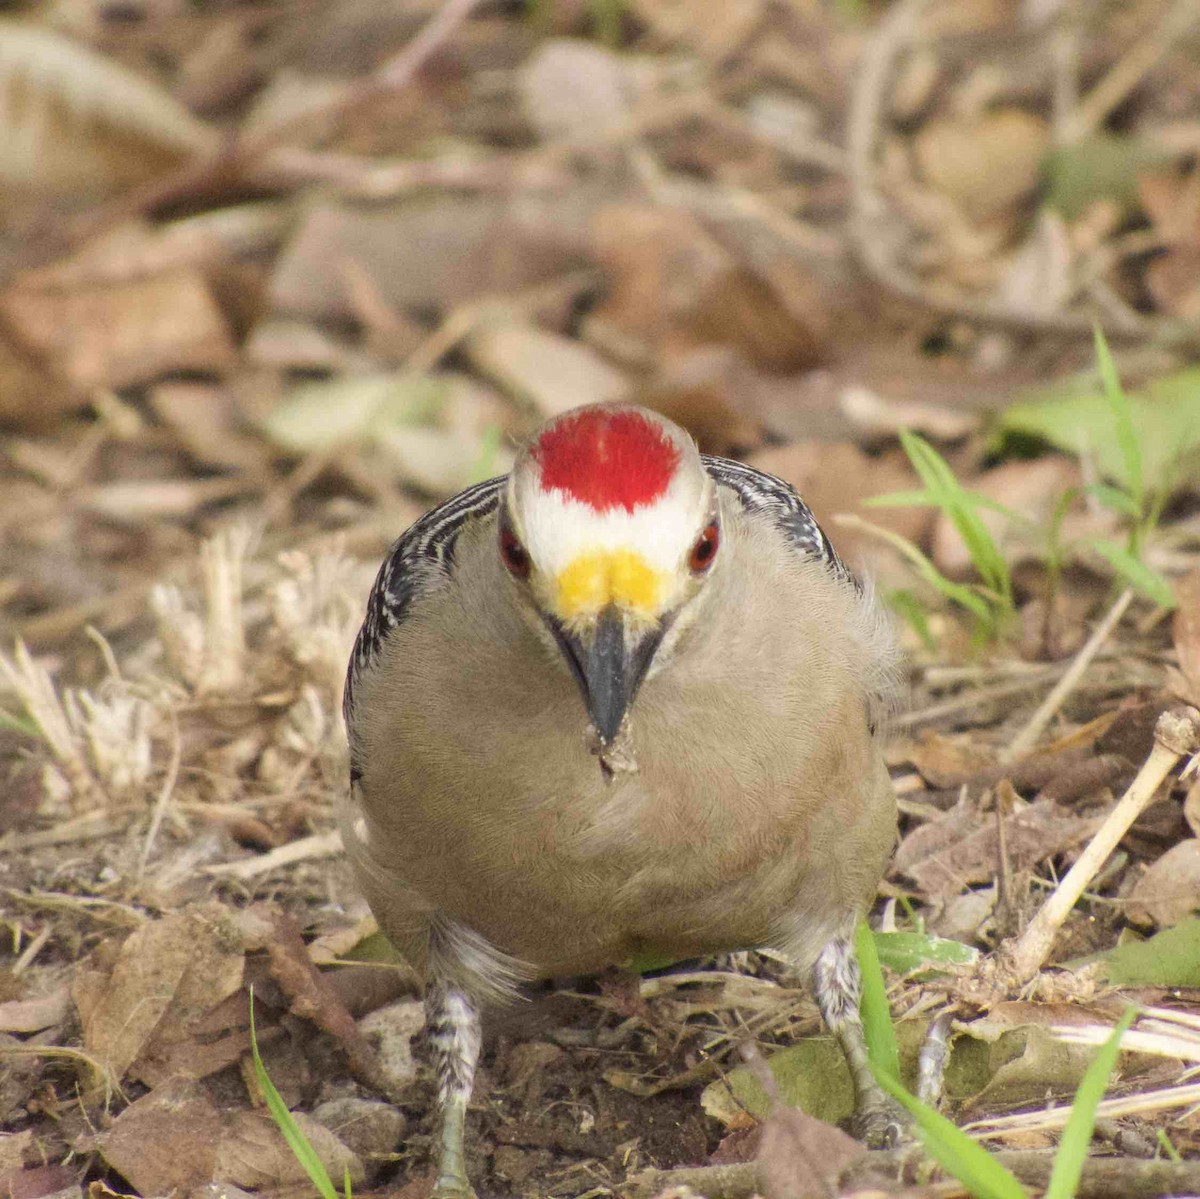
962 847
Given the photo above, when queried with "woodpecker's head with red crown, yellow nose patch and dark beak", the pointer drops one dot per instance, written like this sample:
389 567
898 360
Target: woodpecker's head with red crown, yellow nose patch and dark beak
610 527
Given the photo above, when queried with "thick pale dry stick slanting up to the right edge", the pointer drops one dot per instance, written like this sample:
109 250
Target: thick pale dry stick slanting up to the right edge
1177 734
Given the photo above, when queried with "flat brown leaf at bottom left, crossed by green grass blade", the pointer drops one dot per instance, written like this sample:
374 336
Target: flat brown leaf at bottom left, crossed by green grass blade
176 1138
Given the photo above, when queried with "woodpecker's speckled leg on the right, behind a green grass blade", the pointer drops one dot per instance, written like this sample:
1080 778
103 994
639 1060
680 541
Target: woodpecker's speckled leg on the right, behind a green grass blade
838 987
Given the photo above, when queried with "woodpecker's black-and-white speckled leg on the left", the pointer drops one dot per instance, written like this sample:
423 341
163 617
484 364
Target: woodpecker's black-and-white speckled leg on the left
454 1029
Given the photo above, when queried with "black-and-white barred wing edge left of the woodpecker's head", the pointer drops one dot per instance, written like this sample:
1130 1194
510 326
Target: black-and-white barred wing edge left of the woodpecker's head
418 562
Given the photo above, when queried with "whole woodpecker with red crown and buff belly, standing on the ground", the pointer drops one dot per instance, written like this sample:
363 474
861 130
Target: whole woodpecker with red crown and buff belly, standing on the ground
619 703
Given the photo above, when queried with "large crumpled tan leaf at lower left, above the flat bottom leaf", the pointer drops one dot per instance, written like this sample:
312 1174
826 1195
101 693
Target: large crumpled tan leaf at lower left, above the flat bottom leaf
166 975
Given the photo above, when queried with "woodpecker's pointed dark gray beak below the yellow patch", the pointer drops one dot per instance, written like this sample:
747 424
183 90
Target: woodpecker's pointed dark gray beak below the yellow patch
610 663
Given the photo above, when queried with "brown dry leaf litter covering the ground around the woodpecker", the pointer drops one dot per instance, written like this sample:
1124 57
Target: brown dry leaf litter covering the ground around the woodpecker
262 305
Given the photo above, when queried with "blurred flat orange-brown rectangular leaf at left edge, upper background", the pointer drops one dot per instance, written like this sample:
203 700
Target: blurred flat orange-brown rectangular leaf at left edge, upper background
123 334
